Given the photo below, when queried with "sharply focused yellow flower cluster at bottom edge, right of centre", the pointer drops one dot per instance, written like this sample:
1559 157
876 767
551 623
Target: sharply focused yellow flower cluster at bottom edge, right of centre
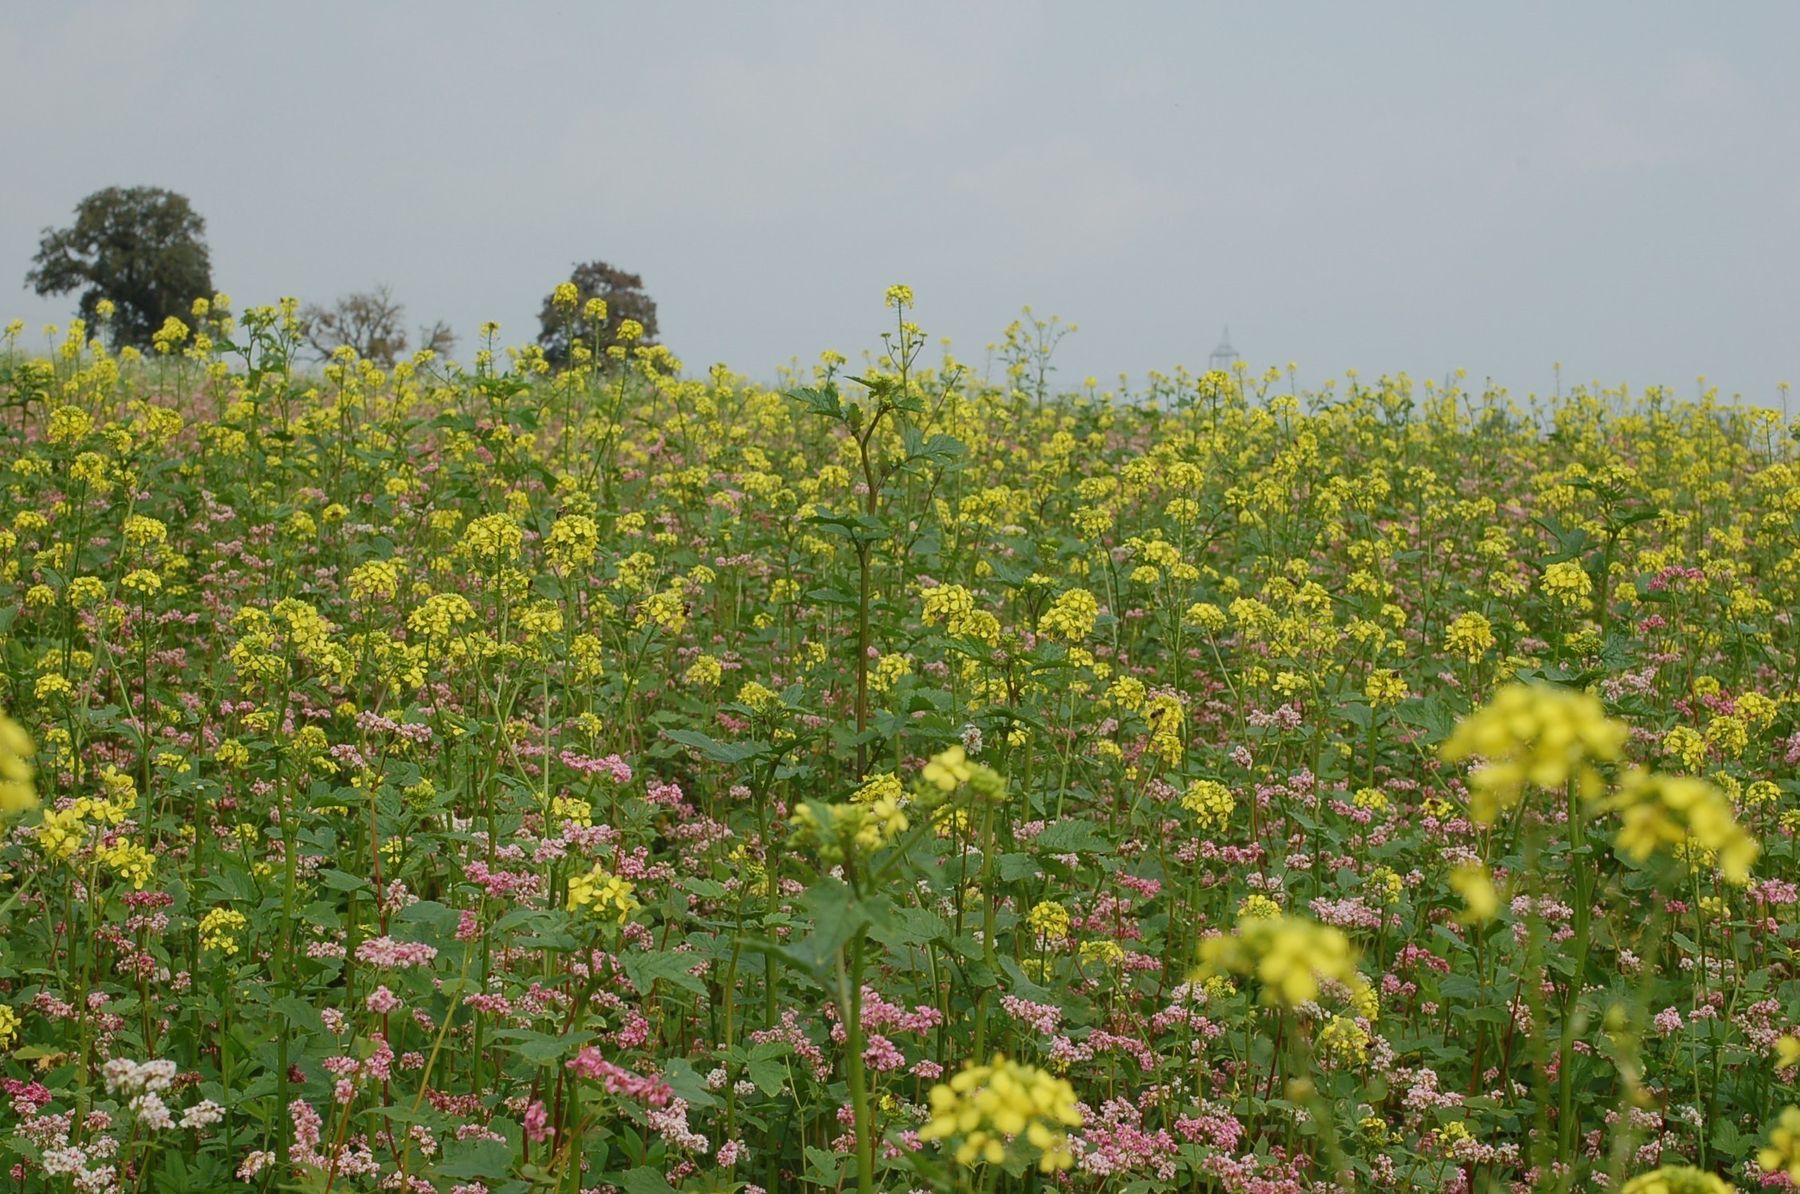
991 1108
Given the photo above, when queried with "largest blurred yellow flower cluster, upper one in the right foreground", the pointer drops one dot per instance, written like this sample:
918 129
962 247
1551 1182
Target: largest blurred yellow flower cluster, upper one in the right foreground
1534 736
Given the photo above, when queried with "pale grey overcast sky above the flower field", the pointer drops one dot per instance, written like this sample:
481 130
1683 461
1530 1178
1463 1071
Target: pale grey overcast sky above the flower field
1374 186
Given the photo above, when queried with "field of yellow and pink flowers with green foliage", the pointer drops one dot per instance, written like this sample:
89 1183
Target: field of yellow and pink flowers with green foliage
904 779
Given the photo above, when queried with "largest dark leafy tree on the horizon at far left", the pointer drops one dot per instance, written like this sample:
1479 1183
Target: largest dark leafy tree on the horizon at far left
141 248
